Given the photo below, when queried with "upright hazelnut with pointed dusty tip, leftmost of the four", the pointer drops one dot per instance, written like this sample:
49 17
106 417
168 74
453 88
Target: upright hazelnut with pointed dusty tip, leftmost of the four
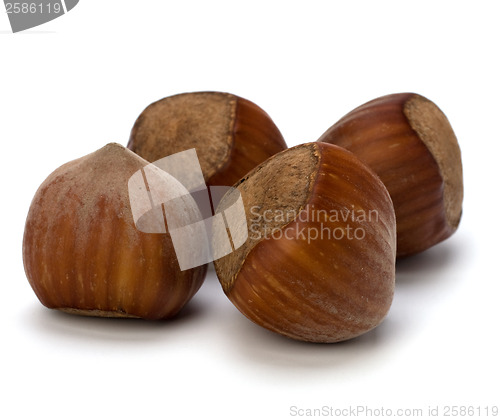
83 253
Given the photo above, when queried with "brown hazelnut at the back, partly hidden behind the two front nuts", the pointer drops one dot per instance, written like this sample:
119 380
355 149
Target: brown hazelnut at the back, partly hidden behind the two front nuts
231 135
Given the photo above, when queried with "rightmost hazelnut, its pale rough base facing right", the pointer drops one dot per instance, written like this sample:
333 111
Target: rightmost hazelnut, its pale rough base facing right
408 141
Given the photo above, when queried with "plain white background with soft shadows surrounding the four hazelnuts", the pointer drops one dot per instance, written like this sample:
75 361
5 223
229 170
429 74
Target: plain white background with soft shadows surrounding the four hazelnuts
72 85
